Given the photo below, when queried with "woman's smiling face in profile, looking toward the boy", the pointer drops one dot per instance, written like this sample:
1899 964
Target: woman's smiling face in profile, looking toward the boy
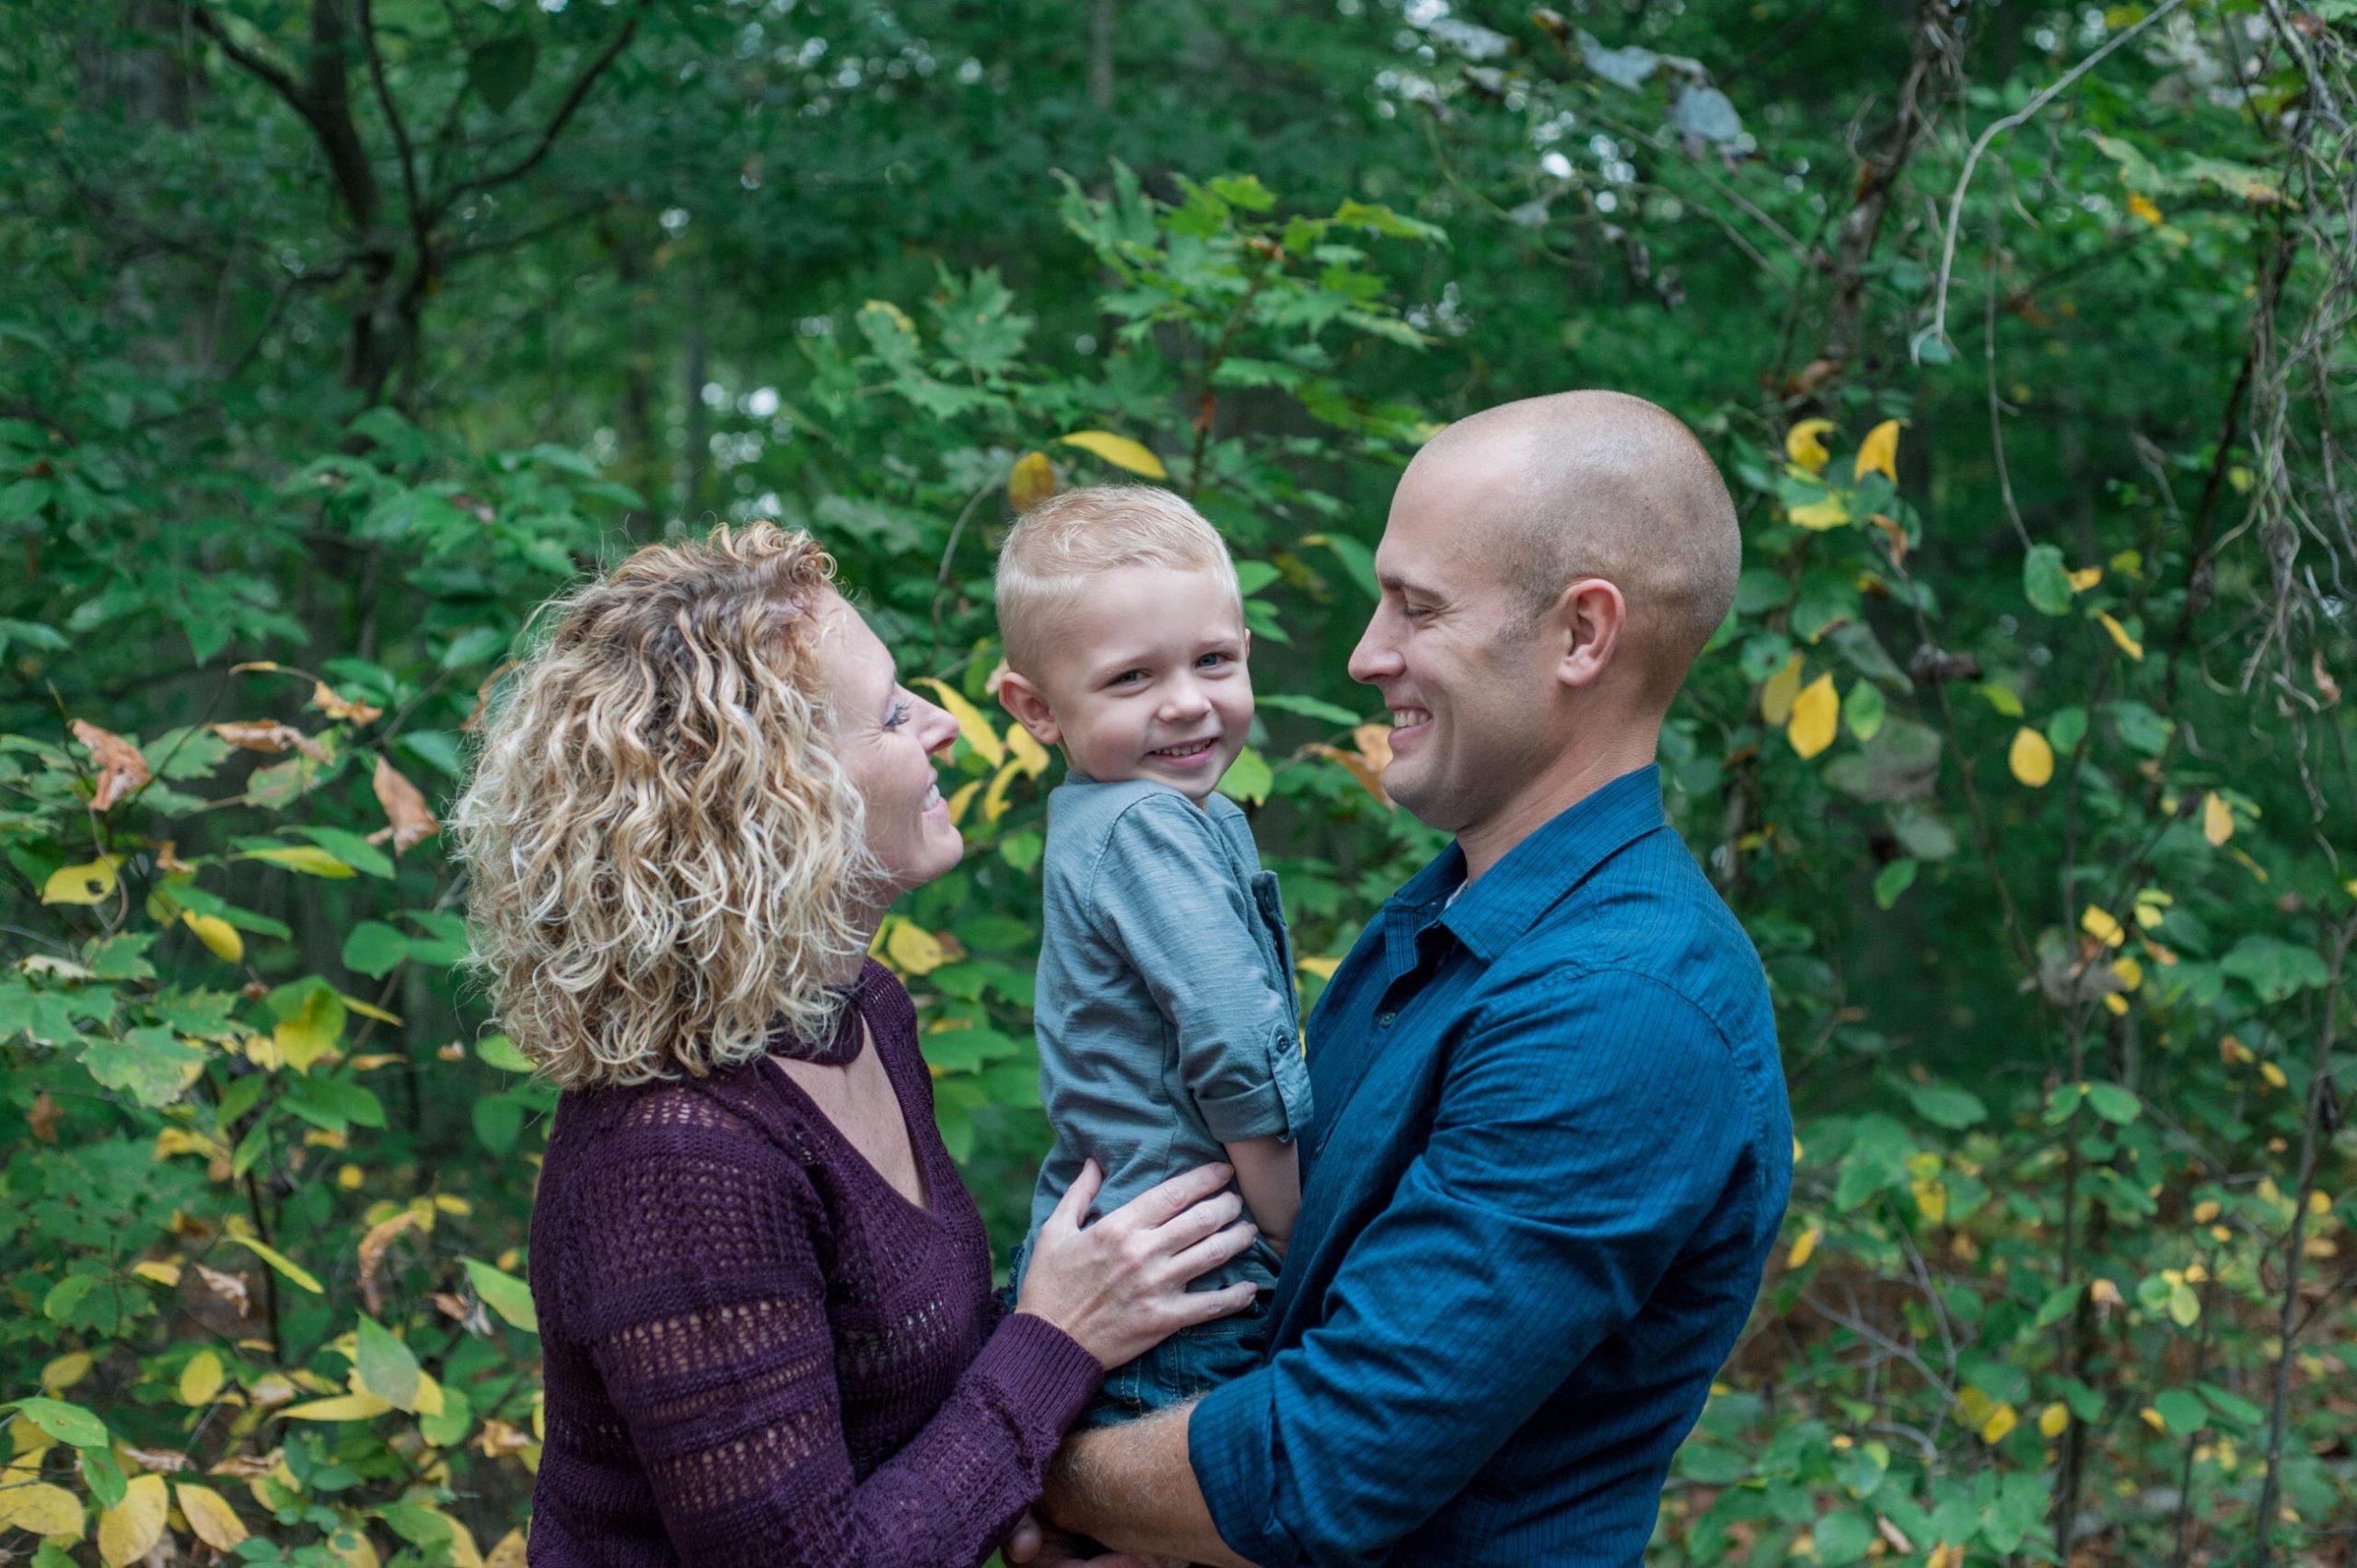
885 739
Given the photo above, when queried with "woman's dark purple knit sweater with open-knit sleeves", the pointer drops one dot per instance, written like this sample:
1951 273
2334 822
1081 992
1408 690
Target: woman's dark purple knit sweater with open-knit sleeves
758 1352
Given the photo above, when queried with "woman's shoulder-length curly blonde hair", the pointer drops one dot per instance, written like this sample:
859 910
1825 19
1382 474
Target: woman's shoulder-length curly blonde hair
666 857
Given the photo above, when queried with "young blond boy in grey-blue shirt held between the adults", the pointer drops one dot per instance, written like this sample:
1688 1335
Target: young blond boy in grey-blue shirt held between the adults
1166 1013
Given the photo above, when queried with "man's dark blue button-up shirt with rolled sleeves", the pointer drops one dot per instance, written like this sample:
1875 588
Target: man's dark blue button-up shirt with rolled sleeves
1547 1164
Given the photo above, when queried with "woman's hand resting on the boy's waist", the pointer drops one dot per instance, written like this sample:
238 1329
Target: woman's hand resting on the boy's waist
1121 1286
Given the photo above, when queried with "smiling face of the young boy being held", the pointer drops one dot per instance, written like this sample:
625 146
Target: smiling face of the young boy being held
1144 678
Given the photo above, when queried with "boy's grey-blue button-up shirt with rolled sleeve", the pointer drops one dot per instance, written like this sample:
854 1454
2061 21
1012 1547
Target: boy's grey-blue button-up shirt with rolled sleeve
1166 1013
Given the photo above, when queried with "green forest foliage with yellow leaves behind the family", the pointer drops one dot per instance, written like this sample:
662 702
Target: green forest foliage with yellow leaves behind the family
338 336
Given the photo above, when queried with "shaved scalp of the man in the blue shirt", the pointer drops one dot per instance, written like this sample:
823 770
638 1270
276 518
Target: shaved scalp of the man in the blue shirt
1599 485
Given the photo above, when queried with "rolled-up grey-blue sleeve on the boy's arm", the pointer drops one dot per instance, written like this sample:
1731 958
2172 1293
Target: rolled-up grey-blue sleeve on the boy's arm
1173 904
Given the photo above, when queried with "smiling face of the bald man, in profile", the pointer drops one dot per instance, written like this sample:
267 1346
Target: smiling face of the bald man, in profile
1467 680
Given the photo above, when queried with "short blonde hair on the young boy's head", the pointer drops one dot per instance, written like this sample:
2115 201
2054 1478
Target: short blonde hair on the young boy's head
1078 534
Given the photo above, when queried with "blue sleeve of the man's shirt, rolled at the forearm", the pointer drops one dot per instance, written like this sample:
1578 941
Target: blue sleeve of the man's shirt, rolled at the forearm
1583 1135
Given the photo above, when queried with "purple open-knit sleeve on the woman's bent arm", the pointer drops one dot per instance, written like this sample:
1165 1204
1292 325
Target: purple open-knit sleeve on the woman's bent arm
701 1296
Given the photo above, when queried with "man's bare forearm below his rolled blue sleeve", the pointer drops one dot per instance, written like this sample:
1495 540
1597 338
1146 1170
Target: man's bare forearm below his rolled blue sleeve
1133 1489
